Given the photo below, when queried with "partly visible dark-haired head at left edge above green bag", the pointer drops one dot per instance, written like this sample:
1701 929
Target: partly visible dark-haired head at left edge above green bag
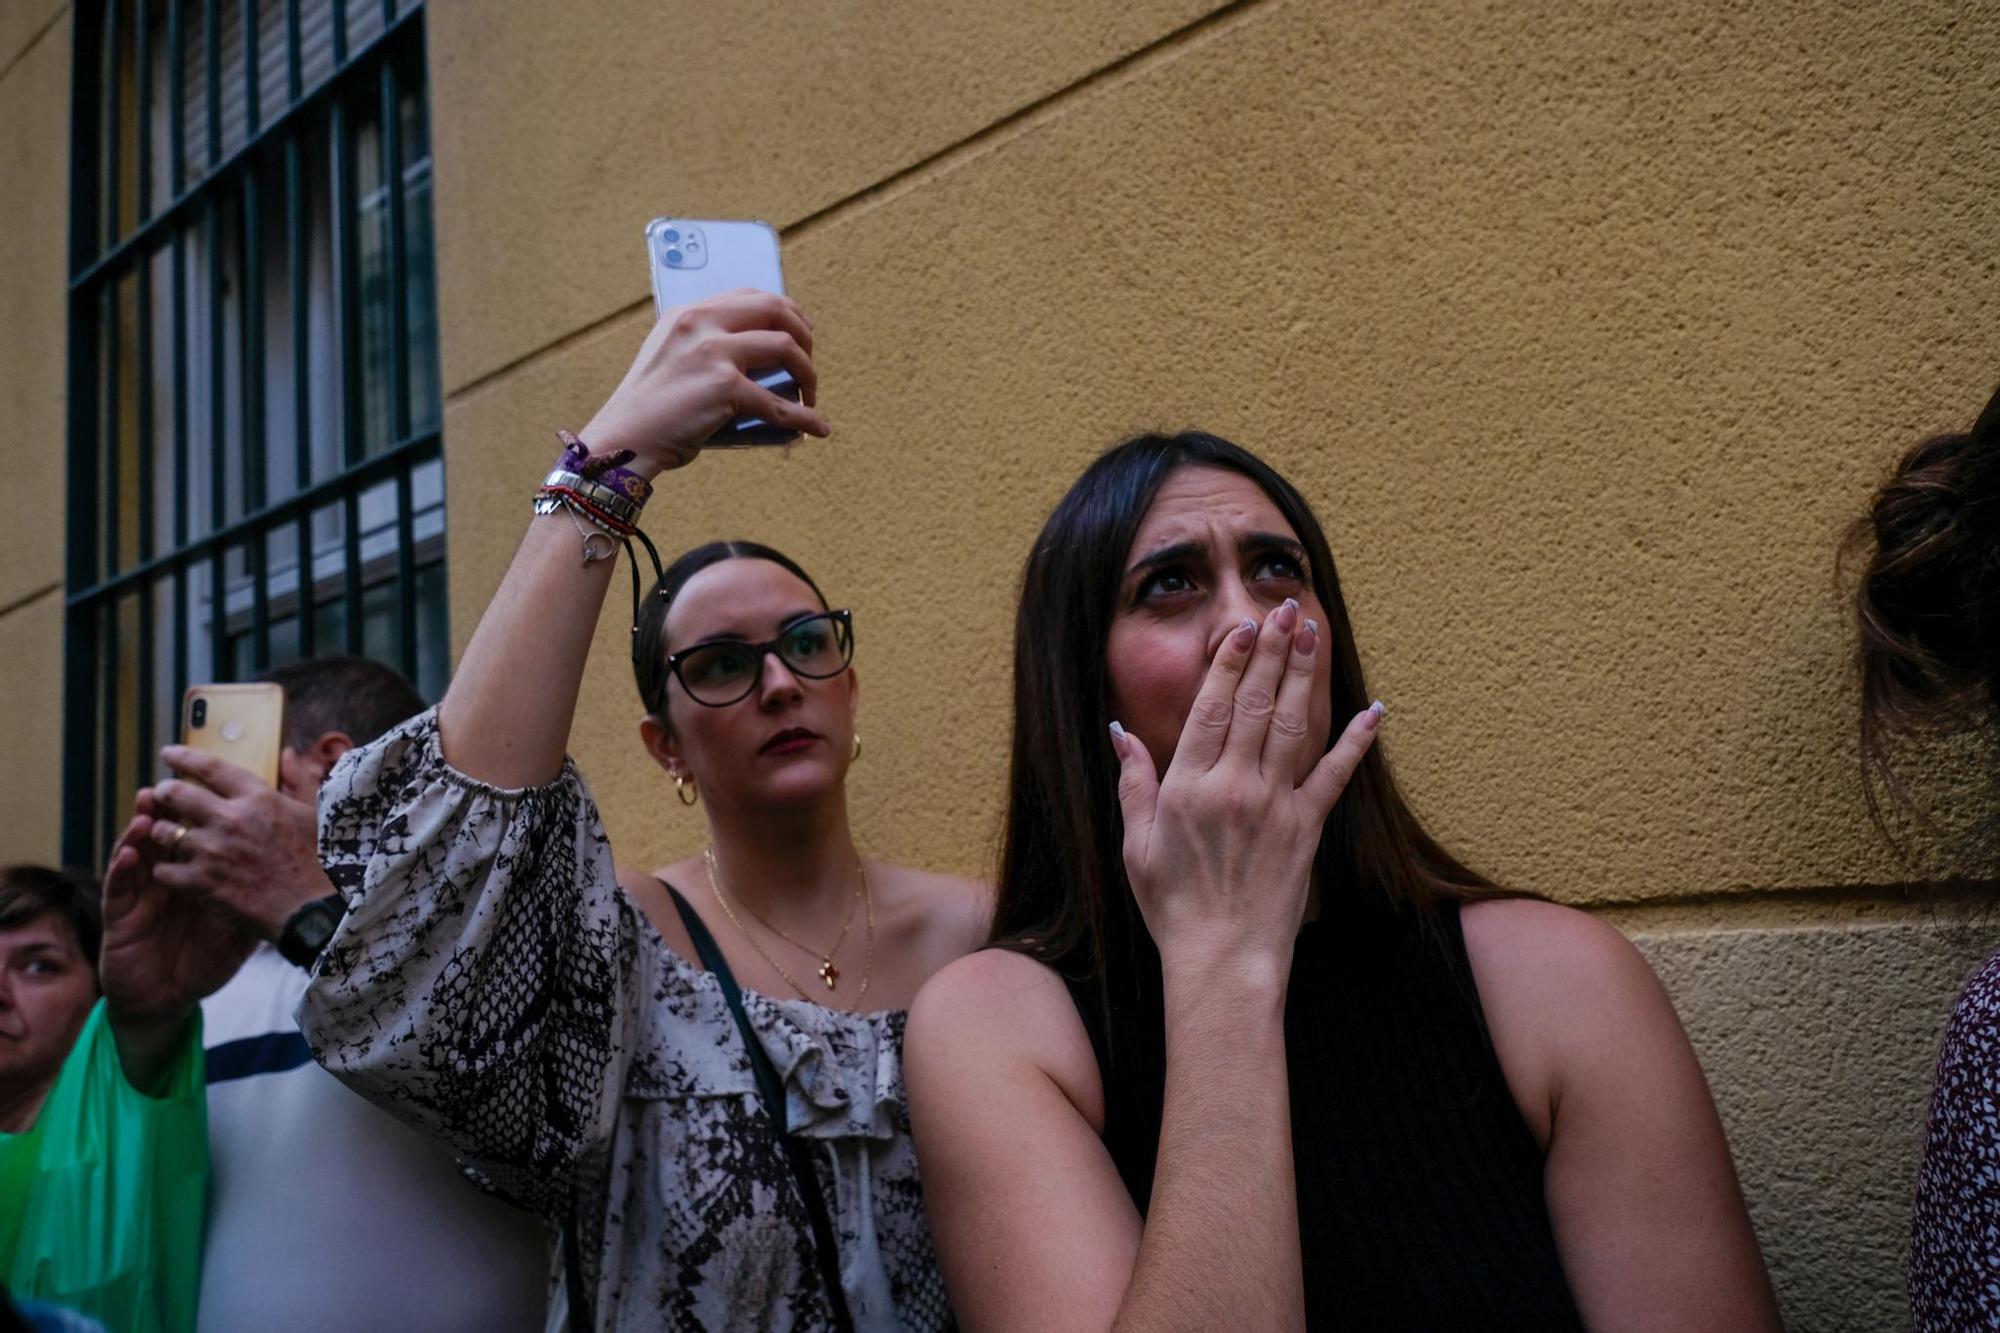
49 974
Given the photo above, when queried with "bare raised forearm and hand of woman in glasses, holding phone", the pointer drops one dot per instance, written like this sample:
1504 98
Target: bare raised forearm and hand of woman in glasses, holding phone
509 710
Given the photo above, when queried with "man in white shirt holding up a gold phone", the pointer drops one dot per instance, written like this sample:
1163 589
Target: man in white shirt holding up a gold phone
325 1214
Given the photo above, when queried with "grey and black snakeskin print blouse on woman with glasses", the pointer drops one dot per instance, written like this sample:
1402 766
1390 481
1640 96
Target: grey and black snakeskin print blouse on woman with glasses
495 988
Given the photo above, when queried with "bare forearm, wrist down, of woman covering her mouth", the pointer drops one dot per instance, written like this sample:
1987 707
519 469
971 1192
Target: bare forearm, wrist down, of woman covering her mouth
1221 1242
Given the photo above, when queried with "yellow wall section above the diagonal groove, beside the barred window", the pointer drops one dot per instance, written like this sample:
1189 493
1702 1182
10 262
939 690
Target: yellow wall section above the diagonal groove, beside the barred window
565 129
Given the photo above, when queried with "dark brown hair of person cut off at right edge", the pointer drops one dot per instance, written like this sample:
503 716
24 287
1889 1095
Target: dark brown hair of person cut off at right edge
1929 599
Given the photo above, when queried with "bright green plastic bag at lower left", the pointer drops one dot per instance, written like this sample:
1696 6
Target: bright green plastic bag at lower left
101 1204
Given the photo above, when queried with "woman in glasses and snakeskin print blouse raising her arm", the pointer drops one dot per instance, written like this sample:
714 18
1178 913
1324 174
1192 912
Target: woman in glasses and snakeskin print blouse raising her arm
697 1078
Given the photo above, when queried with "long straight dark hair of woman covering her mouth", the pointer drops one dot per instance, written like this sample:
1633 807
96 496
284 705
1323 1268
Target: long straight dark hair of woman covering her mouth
1063 890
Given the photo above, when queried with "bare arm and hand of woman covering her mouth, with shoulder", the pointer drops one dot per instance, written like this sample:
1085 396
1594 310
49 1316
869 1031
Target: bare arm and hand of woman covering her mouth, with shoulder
1031 1218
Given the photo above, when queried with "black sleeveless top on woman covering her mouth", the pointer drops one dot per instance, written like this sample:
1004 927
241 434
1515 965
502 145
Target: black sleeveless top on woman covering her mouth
1419 1184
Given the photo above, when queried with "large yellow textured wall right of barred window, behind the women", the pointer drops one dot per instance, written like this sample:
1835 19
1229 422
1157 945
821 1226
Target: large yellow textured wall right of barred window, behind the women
1587 329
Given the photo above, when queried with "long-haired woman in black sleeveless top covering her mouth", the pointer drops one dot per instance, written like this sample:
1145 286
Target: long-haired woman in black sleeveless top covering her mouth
1249 1048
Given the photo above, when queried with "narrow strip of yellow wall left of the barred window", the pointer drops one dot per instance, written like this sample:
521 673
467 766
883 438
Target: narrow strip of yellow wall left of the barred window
35 181
